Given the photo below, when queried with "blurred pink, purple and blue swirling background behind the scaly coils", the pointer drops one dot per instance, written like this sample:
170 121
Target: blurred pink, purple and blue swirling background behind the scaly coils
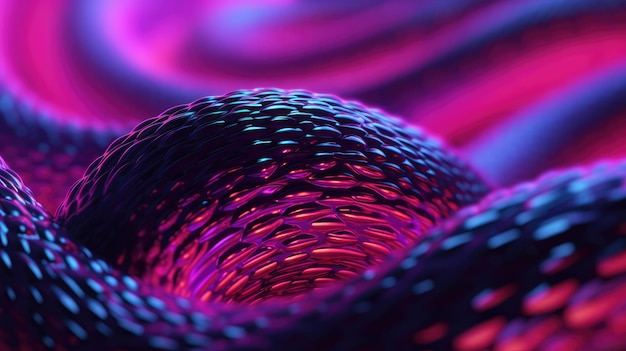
518 87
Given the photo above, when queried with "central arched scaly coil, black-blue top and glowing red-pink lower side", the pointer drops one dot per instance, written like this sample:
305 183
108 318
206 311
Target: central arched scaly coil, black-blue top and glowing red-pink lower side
263 193
